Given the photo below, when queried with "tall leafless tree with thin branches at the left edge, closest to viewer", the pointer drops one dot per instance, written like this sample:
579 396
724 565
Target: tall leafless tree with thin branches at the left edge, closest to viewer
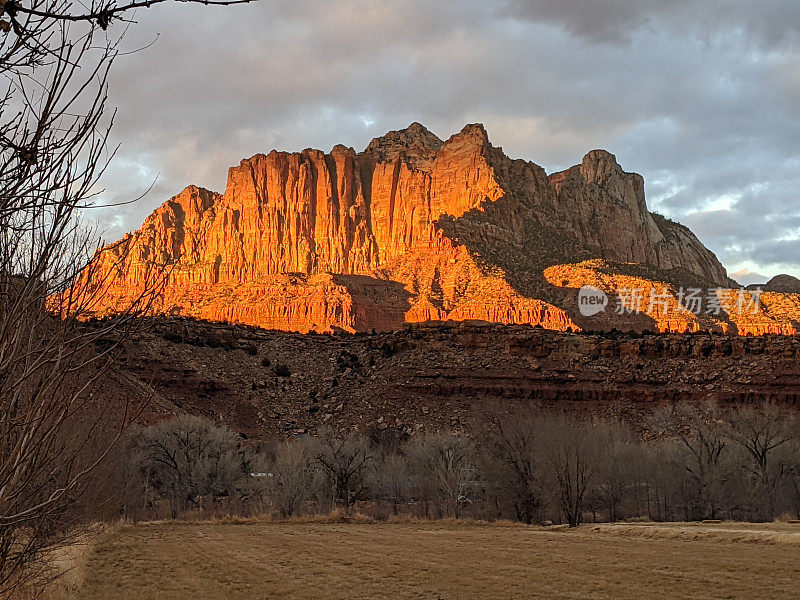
55 57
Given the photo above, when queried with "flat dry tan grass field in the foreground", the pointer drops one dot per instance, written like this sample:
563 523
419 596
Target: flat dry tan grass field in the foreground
263 560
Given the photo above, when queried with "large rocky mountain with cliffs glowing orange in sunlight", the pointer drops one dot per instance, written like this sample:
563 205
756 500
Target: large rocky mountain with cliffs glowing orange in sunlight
419 229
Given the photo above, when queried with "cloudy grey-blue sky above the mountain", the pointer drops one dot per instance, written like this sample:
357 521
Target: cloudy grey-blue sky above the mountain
702 97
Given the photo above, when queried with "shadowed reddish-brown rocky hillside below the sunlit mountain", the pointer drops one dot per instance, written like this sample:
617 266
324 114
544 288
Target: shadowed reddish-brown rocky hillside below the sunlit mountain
439 376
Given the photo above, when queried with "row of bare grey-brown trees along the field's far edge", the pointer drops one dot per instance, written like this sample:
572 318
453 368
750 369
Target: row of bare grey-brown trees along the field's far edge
695 463
